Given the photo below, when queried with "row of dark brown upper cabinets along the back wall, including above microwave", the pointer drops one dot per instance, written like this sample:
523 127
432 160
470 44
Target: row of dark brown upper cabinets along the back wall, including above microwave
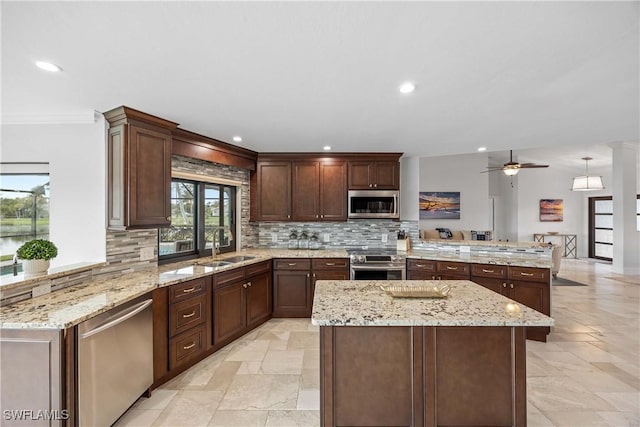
313 187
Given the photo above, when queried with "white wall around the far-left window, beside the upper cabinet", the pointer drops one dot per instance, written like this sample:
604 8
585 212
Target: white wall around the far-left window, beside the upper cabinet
76 156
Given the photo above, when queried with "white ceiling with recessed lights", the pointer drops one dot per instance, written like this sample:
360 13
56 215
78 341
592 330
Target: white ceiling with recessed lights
295 76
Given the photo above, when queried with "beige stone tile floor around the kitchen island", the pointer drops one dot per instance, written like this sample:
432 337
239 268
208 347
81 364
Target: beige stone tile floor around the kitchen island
587 374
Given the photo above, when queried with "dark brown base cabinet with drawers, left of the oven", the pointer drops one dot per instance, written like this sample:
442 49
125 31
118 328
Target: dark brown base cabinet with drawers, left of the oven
294 282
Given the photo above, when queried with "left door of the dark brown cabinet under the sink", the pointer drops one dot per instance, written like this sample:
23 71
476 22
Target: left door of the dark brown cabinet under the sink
229 312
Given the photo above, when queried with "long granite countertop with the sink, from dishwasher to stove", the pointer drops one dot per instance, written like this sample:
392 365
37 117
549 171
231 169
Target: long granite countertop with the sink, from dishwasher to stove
70 306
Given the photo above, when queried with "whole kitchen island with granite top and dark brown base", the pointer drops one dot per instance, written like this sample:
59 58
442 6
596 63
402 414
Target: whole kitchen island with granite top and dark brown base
389 361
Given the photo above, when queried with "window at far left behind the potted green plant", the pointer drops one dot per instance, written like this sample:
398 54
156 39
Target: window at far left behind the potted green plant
24 213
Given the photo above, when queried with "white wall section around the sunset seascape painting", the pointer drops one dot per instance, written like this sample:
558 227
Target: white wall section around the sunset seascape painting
458 173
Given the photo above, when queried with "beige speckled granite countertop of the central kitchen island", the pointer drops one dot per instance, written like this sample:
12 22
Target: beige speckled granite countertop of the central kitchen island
363 303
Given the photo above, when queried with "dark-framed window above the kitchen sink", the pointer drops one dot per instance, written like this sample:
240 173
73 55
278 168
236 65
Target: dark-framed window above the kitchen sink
199 210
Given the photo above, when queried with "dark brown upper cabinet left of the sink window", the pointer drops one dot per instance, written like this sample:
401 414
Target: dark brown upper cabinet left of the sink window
139 170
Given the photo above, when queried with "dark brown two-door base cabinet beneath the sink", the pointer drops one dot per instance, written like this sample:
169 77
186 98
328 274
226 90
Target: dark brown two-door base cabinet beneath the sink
241 301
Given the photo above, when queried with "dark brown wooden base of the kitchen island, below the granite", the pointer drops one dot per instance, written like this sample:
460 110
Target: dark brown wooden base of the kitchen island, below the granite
422 376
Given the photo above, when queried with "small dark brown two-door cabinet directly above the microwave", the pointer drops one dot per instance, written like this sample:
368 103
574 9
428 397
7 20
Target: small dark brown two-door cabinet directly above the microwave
379 175
